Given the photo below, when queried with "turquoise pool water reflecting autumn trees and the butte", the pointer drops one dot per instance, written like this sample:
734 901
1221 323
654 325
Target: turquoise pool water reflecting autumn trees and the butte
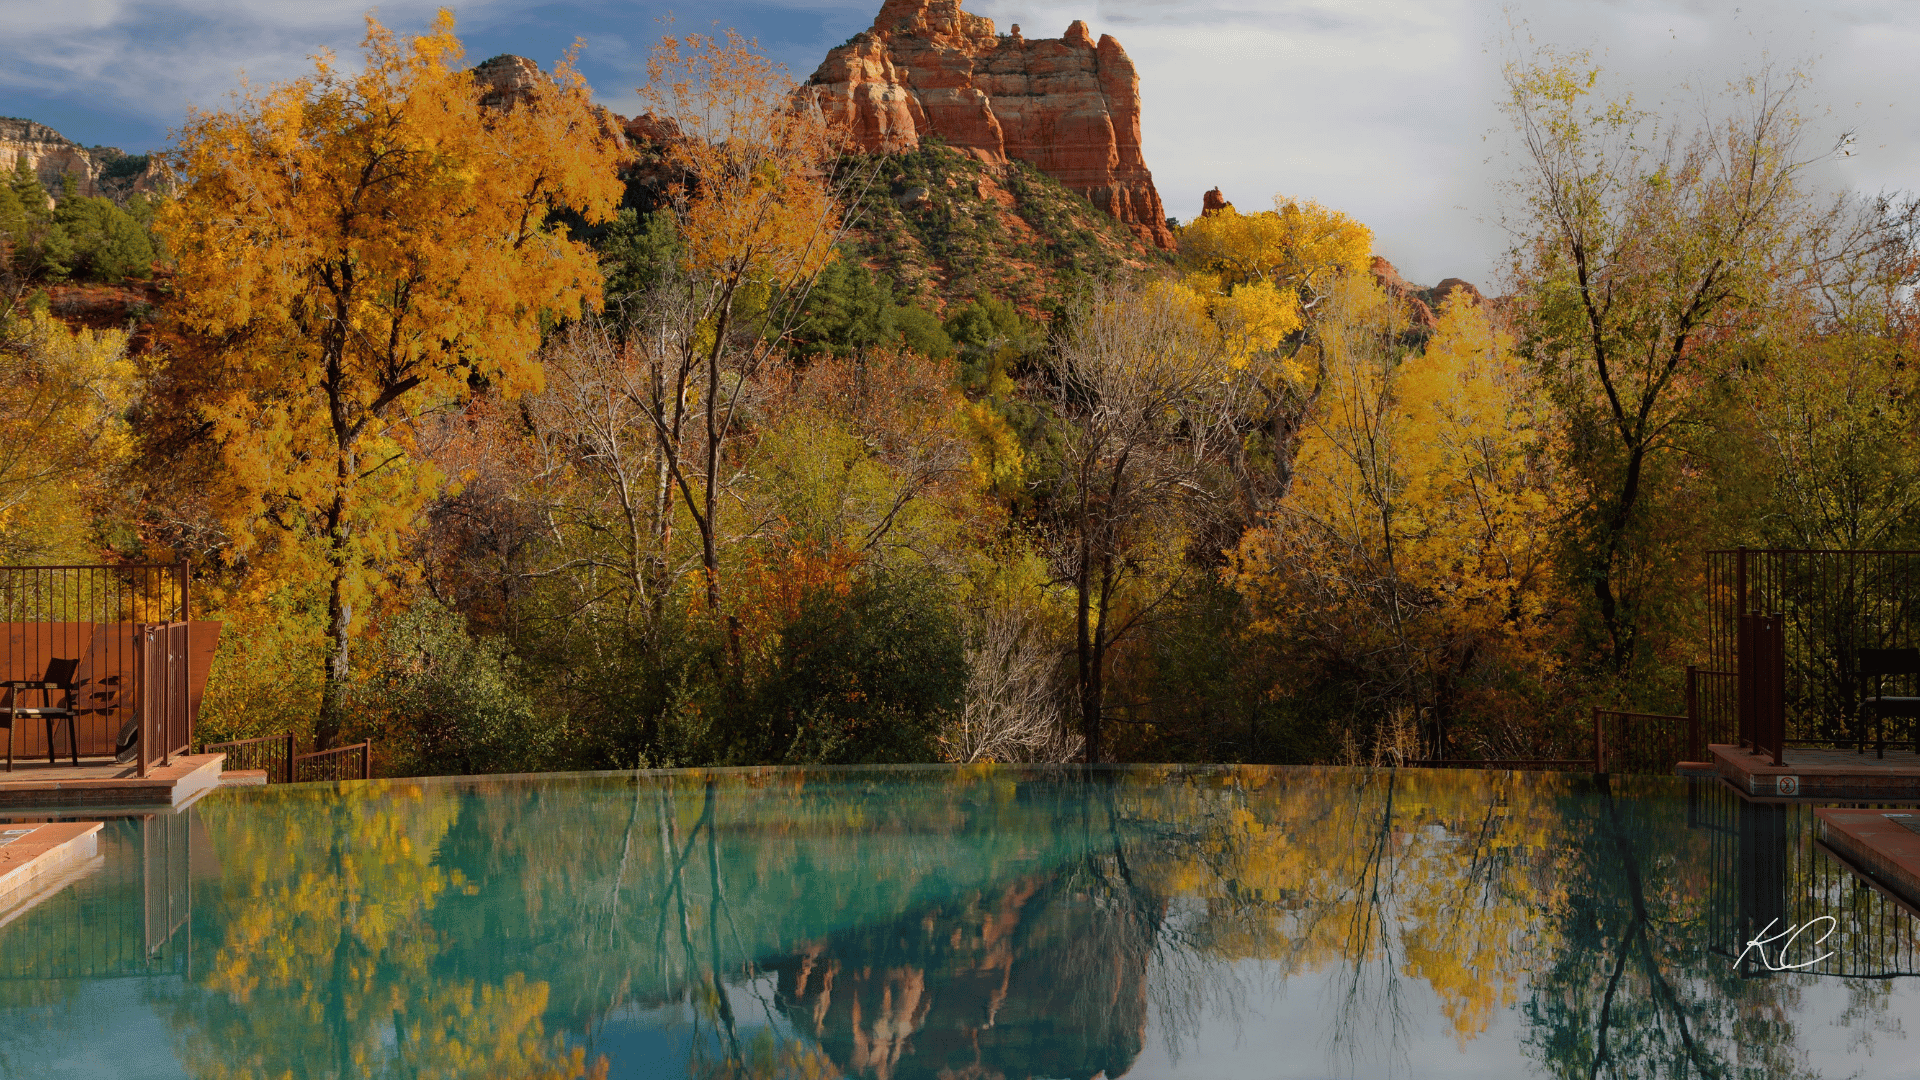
963 923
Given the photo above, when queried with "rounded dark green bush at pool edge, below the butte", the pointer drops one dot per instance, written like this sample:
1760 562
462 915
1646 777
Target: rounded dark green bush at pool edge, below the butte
861 677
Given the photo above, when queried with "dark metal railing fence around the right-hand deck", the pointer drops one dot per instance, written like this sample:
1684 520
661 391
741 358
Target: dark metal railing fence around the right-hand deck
1819 610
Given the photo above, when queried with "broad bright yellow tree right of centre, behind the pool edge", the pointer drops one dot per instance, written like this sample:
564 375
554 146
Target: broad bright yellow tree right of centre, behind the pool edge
1420 533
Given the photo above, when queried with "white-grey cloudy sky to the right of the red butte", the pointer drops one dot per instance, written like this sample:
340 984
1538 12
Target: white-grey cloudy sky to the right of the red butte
1389 109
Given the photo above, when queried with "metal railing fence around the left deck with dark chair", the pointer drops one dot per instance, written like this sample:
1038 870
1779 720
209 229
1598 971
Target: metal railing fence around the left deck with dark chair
139 656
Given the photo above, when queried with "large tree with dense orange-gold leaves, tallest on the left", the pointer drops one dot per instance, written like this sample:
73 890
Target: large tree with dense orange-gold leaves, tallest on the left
356 251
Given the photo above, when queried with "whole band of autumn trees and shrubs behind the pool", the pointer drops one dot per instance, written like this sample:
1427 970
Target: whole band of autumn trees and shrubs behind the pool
492 445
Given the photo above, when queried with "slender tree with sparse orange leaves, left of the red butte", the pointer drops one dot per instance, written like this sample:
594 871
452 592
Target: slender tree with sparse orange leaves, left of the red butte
757 214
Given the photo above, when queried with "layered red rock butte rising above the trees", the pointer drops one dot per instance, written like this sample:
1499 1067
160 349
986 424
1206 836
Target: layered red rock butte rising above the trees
1068 107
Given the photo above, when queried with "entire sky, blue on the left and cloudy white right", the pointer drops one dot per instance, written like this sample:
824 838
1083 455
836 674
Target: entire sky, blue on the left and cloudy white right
1387 110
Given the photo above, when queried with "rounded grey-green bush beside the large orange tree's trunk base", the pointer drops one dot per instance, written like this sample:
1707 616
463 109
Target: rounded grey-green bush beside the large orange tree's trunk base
446 702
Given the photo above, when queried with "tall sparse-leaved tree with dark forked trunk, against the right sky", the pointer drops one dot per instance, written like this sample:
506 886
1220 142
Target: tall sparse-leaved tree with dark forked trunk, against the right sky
1644 247
